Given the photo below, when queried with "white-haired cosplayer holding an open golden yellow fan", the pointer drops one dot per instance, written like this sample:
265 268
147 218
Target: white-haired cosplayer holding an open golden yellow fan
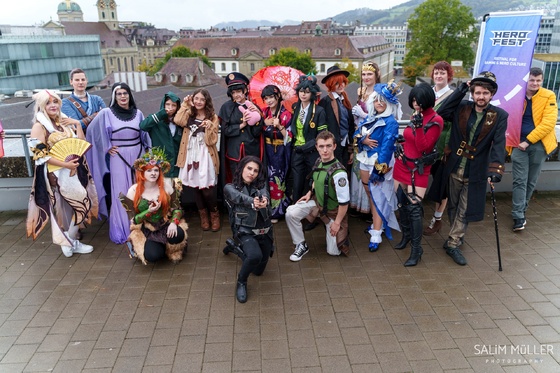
63 189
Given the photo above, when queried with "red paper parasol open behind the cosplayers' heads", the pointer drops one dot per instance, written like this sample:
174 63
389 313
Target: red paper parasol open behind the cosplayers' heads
284 77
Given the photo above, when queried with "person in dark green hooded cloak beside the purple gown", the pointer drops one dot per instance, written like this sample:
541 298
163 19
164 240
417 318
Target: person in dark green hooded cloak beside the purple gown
164 132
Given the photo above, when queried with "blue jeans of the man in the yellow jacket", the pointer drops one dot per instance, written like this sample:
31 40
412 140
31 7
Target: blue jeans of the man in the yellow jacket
526 168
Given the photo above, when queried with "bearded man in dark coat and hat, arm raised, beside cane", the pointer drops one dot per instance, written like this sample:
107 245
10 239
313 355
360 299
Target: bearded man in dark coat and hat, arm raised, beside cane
475 155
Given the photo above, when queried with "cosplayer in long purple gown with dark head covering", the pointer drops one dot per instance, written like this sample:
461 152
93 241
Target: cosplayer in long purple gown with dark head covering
117 142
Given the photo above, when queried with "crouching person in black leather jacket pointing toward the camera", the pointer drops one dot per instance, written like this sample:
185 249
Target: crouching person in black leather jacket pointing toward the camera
247 198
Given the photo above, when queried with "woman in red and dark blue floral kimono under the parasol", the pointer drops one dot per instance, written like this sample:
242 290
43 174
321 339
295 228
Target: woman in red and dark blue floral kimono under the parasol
277 148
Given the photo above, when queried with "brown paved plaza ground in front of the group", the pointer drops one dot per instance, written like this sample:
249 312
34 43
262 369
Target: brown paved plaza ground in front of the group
104 312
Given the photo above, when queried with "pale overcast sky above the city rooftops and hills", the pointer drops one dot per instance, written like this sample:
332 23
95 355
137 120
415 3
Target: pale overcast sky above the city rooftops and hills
176 14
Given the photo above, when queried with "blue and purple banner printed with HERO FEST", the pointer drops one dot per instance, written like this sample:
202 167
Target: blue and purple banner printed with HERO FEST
505 47
